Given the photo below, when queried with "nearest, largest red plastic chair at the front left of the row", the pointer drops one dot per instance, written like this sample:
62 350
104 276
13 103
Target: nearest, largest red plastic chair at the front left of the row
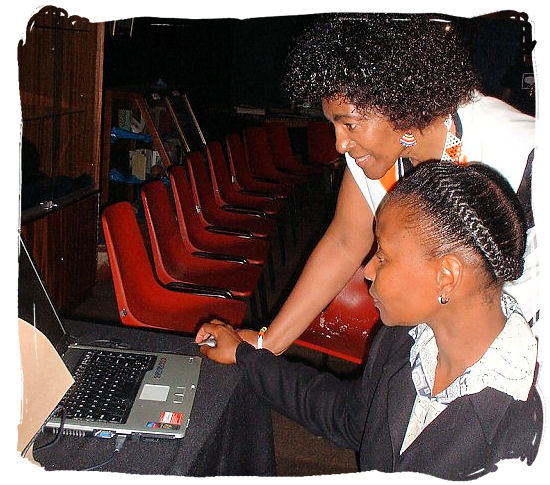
142 301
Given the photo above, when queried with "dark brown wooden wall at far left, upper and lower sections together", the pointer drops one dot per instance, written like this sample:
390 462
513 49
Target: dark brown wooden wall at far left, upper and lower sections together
60 75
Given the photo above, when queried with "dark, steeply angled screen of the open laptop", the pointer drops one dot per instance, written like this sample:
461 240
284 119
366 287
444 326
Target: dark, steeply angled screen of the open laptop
34 303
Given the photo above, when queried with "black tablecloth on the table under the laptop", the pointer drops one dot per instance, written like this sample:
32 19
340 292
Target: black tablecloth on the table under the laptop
230 430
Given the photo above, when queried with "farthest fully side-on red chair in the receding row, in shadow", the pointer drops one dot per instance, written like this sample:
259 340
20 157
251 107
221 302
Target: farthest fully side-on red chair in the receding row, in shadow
283 156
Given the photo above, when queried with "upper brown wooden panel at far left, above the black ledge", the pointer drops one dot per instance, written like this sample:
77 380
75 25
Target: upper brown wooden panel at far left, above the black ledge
60 81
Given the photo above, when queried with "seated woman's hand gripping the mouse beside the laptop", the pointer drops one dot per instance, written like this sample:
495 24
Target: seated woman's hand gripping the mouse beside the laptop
227 341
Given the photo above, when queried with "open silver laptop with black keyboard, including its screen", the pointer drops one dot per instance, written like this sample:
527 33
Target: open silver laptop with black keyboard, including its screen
117 391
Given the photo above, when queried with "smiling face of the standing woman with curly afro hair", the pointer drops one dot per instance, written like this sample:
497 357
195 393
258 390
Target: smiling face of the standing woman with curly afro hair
371 140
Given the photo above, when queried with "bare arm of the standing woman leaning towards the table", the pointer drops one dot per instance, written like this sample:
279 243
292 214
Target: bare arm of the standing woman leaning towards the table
330 266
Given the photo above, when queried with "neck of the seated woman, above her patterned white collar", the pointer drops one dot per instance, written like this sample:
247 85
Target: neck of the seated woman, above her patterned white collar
463 337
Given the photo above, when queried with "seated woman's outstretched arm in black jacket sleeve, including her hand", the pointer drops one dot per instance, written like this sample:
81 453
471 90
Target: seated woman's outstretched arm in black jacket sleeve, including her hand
321 402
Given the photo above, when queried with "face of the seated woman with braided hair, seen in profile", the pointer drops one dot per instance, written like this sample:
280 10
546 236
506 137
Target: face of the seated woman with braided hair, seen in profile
404 279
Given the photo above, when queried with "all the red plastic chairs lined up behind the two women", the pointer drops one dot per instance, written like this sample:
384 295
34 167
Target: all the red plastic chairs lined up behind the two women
210 240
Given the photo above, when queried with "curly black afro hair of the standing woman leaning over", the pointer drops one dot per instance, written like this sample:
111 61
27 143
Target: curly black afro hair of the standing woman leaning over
410 70
